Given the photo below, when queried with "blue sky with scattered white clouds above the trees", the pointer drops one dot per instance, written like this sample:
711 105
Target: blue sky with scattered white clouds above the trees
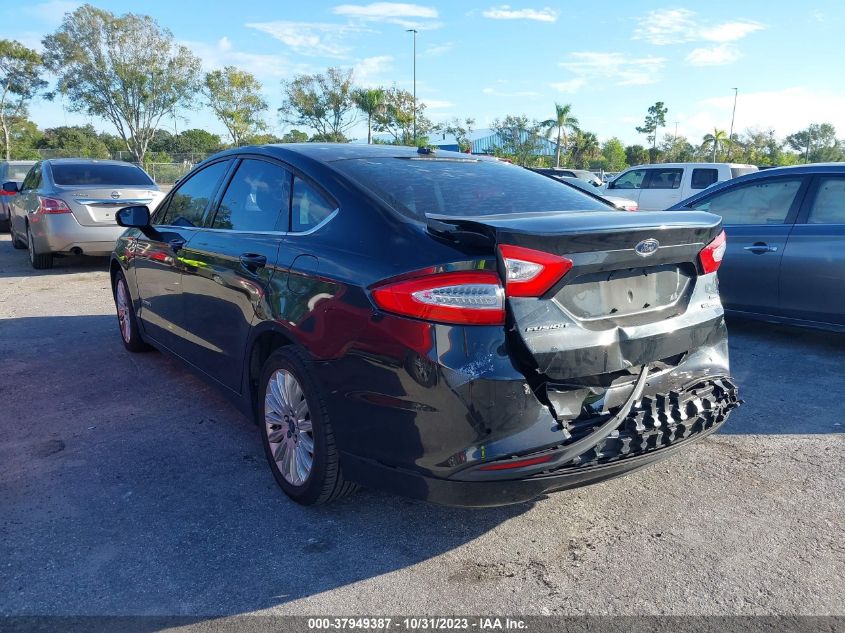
487 59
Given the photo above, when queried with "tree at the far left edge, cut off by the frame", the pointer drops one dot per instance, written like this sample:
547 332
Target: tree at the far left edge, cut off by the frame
20 80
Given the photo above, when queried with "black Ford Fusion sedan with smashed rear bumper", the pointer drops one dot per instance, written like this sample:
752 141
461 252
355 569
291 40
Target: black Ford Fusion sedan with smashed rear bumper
443 326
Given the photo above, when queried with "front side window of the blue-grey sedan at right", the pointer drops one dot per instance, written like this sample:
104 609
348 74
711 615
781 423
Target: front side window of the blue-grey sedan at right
759 203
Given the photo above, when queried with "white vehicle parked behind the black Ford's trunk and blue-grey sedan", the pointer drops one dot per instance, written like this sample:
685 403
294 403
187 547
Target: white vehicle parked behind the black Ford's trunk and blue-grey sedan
659 186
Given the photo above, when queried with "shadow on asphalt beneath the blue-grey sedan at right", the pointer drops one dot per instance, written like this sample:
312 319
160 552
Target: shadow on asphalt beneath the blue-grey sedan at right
785 401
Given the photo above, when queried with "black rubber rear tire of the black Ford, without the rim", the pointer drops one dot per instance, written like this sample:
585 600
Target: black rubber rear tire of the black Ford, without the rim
325 481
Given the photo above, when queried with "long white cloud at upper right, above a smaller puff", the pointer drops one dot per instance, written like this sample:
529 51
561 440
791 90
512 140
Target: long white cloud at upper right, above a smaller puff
678 26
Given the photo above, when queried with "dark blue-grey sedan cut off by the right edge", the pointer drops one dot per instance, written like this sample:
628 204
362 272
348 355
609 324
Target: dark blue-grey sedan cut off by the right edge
786 252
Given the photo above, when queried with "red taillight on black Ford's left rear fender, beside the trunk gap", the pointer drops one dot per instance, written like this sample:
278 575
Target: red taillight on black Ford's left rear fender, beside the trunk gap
466 298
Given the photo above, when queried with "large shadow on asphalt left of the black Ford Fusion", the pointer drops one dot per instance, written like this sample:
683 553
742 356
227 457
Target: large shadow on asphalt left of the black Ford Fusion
131 486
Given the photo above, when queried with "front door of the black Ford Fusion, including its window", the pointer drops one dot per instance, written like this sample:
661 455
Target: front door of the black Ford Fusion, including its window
159 255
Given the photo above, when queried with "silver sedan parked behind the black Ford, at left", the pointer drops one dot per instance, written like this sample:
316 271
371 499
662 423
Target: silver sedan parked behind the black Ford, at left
69 205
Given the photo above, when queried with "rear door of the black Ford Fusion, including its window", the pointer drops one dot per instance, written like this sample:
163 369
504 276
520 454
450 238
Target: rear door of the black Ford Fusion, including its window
228 267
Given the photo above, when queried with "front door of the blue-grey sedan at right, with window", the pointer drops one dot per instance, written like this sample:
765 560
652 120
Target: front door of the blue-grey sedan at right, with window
758 217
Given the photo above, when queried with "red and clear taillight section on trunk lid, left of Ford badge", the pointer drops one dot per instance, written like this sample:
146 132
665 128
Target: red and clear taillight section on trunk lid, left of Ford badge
531 273
